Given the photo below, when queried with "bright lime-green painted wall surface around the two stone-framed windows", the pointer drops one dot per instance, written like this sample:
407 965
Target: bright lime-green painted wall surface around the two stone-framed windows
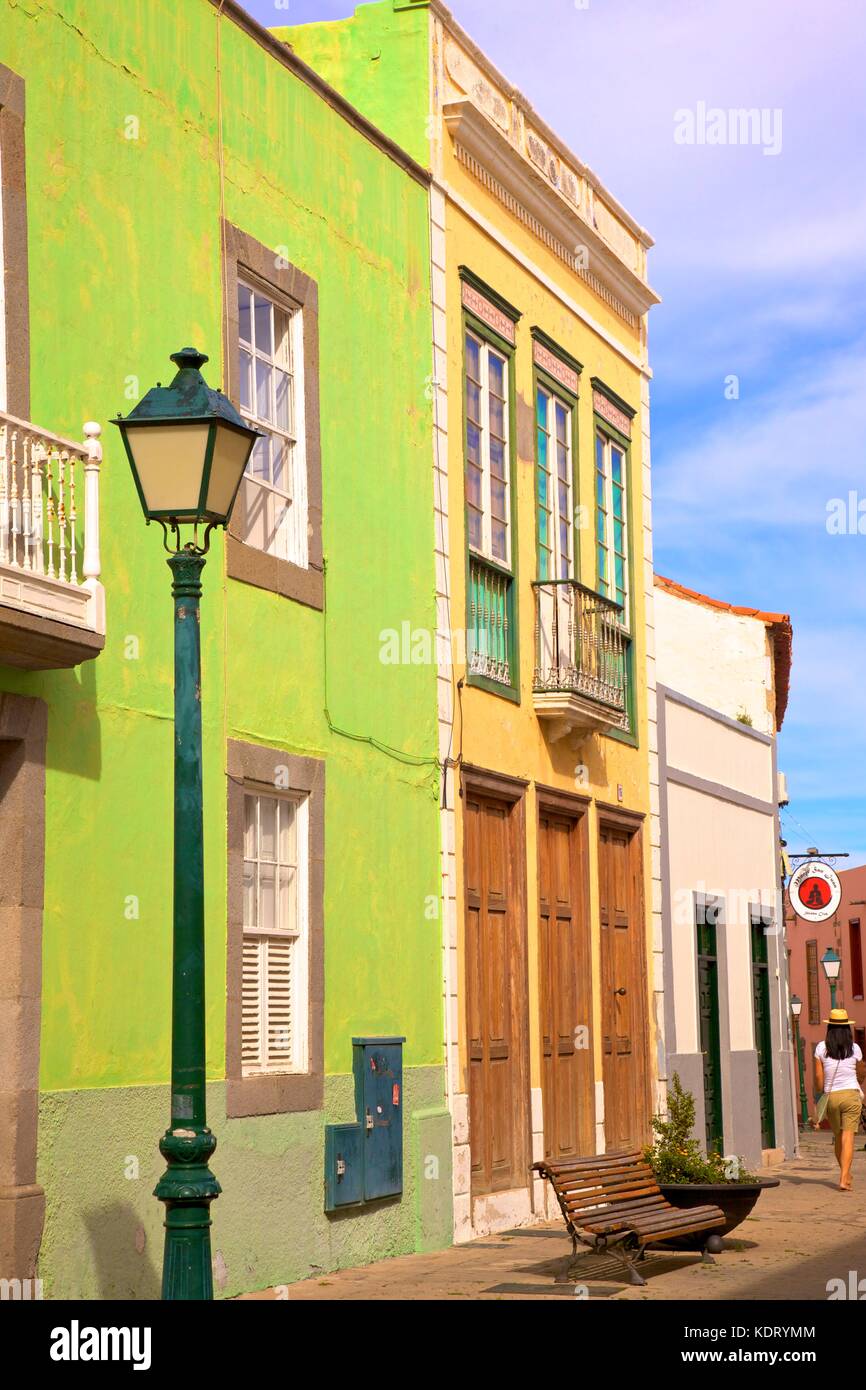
124 269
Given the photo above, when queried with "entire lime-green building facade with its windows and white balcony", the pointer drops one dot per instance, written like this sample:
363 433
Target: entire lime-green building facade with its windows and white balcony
173 174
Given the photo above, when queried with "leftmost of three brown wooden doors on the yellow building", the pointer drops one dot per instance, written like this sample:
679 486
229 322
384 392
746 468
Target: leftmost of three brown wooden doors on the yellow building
497 993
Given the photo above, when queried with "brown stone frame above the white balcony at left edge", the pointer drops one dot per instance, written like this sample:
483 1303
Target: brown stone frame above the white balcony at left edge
16 294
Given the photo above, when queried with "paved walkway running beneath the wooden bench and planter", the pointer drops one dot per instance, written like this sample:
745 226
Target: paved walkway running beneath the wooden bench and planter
801 1235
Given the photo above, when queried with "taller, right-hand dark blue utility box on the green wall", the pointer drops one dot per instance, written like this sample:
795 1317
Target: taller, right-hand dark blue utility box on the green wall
379 1104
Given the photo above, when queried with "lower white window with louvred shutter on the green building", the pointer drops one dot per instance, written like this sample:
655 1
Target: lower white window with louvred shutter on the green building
275 1003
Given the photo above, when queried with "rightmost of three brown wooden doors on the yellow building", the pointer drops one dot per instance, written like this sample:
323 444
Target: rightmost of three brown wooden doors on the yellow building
623 976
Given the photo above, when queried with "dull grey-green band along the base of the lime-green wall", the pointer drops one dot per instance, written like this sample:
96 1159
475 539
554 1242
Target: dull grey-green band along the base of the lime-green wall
104 1234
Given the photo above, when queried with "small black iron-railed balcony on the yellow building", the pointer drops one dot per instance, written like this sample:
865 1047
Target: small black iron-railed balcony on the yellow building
582 668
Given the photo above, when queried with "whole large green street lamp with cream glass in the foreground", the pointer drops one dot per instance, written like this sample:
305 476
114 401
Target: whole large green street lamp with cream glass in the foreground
188 448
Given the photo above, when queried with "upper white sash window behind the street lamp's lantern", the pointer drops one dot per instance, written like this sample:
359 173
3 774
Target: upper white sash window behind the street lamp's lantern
270 359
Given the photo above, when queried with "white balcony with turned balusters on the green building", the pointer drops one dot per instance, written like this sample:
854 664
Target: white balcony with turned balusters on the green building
52 603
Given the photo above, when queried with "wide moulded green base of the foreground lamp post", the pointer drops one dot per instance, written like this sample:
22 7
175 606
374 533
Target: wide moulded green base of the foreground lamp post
188 1188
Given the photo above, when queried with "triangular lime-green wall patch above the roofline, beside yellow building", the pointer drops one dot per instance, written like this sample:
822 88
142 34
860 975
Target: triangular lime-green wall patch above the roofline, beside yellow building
380 62
